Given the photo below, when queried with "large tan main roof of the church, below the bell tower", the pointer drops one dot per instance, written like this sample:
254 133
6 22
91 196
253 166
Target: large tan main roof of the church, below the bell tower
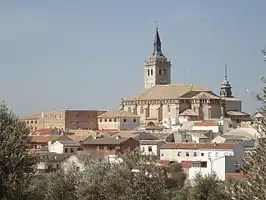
171 91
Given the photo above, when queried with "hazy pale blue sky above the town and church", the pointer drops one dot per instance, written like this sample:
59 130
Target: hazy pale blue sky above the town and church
89 54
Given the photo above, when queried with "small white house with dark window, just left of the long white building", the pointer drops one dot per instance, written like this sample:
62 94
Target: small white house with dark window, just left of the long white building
151 147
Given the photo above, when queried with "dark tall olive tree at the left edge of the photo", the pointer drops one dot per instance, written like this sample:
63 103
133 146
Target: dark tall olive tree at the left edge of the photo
16 164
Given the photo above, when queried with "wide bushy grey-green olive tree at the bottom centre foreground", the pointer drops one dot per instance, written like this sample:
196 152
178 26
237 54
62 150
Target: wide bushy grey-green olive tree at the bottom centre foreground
137 177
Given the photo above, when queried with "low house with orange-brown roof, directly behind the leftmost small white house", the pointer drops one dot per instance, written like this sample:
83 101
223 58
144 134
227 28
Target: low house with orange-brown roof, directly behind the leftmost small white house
39 141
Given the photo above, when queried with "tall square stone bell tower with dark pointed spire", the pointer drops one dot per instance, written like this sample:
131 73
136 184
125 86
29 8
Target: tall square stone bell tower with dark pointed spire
157 69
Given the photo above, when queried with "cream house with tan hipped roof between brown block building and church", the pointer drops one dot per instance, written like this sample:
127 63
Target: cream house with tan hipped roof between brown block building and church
119 120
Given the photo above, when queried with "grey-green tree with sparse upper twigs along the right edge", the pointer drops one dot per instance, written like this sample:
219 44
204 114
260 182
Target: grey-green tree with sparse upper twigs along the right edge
255 162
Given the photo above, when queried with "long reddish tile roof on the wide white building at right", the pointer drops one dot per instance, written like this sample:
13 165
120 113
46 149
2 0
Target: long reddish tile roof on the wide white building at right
173 145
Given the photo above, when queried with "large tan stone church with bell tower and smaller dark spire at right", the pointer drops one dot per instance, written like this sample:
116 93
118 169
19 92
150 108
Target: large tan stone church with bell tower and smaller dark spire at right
160 100
